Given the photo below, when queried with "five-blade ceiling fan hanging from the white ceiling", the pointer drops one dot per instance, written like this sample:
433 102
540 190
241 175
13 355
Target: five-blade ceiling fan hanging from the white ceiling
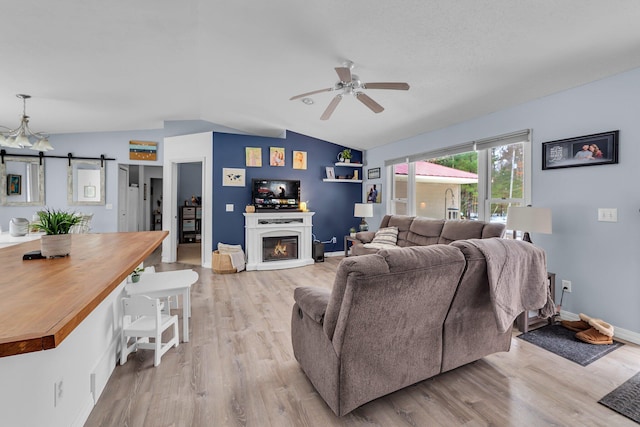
350 84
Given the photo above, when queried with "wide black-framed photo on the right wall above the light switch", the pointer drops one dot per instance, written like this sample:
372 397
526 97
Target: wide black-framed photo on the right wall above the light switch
580 151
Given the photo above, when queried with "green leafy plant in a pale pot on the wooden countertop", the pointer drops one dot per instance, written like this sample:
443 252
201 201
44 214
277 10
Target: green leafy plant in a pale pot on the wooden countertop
56 225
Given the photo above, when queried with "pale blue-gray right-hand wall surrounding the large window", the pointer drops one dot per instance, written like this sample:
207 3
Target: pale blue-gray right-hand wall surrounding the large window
600 258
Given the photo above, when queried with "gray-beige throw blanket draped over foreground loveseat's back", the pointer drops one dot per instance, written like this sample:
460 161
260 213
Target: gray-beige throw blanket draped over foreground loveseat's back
517 273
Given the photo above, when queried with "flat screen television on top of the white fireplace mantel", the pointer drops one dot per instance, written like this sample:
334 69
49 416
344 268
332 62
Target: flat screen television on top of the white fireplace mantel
275 194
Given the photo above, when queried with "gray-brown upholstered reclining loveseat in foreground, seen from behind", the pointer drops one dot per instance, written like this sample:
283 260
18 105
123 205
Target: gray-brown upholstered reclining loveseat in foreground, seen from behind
404 315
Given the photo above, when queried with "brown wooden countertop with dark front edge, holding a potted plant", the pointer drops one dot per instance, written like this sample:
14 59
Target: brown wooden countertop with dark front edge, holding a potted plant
43 301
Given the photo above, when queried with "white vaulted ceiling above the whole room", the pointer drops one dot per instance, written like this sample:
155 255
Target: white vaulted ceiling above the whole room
121 65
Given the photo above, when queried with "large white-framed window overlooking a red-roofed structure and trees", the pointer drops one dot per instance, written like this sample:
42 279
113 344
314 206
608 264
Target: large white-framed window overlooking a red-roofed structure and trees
476 180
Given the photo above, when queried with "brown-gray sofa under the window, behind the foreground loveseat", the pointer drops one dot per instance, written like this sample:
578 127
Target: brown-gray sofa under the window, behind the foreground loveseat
420 231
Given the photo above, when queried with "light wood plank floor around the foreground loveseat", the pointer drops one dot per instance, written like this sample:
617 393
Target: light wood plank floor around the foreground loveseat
239 370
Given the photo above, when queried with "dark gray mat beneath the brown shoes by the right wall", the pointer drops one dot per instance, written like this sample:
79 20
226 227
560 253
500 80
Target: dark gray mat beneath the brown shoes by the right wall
561 341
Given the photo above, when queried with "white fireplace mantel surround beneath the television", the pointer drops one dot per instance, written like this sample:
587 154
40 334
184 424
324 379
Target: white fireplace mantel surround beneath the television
275 224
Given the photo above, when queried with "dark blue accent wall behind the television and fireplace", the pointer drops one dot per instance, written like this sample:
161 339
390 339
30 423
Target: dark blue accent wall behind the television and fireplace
332 202
